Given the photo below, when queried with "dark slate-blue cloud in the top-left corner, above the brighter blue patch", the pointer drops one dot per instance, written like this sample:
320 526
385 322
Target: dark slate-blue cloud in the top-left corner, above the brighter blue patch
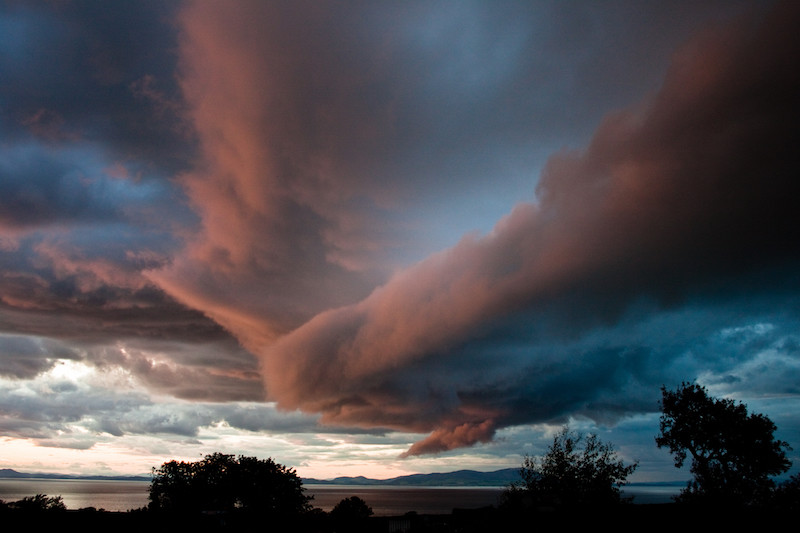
79 70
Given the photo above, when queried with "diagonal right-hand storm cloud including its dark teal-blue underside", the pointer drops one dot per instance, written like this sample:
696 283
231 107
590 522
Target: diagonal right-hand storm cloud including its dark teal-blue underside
679 204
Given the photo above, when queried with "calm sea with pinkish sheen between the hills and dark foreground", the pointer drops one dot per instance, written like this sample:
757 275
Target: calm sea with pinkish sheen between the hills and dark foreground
120 496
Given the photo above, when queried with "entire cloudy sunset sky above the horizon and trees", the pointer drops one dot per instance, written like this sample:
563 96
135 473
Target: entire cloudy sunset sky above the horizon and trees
381 238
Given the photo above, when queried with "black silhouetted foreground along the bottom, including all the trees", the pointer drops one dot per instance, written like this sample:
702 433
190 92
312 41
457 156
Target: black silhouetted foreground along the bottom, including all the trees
576 483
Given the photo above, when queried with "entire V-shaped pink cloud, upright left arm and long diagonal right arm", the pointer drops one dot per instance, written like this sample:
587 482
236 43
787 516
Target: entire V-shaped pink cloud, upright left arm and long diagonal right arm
691 186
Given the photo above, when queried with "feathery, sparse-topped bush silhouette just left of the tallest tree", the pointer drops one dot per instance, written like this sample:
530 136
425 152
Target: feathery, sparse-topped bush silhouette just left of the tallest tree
577 470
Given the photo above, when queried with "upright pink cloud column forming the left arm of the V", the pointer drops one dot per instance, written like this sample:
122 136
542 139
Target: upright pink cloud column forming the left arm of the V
288 214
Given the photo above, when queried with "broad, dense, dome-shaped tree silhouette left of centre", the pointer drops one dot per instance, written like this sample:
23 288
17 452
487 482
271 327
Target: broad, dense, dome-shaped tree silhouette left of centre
220 482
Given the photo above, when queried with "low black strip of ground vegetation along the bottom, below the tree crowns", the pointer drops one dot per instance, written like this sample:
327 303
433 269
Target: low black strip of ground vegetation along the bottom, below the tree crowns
625 517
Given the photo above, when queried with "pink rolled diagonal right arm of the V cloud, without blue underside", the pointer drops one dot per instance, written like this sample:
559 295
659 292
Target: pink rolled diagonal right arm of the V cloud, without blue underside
693 185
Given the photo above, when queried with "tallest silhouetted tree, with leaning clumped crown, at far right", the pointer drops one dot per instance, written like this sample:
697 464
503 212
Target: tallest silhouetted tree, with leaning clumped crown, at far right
733 453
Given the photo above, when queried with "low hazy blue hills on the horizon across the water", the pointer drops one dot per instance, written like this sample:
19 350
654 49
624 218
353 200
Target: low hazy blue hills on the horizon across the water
460 478
